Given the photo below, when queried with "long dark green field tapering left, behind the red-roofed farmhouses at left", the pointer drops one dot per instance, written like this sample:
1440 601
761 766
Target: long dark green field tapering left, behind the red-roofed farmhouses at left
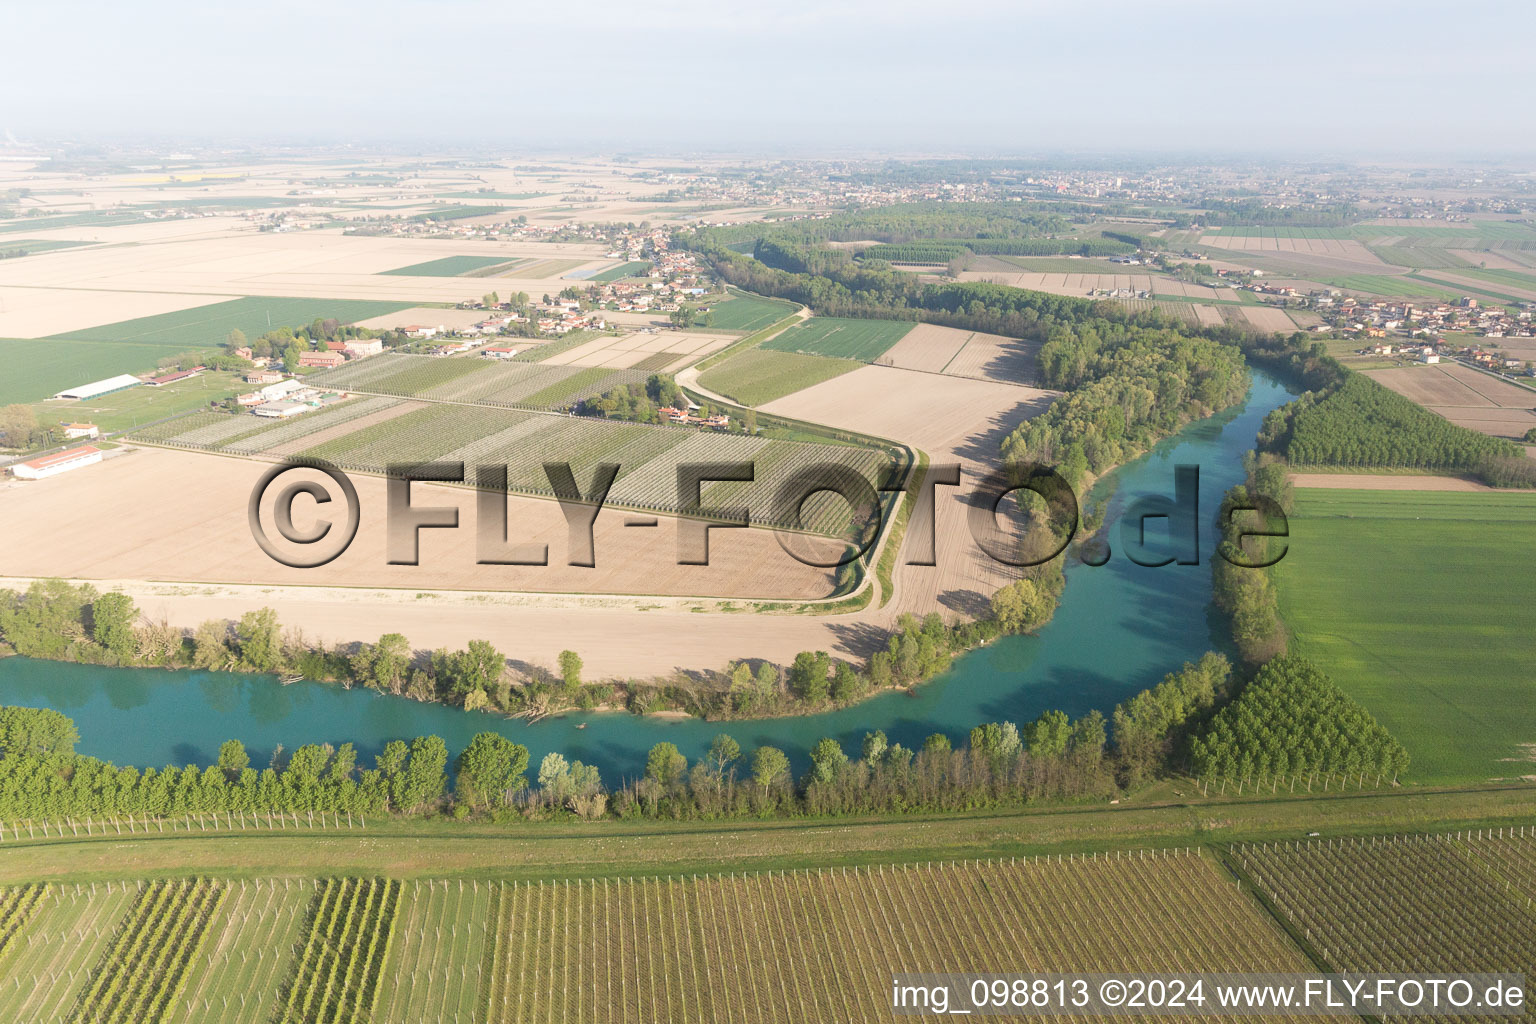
207 326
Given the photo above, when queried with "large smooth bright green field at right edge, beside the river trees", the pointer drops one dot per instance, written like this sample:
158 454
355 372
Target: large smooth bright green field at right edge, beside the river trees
1412 603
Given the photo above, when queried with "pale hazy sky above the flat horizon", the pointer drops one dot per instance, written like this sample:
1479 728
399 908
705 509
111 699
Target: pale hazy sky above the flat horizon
1179 76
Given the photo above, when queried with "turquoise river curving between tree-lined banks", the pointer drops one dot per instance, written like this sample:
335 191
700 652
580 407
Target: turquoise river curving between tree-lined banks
1119 629
